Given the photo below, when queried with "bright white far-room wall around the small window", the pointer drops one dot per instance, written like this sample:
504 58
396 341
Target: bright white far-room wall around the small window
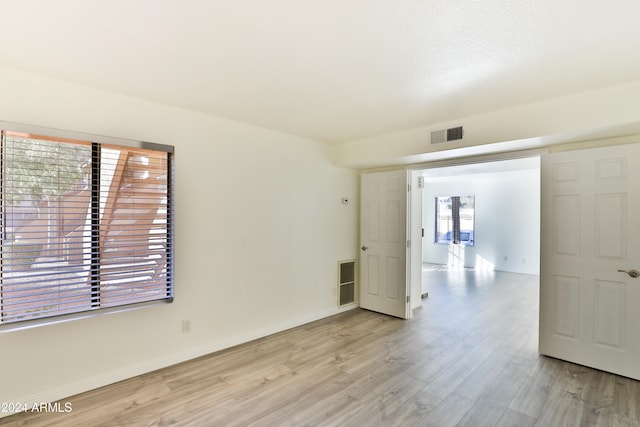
507 220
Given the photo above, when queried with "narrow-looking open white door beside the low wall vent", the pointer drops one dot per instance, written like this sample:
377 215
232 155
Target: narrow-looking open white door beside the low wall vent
383 243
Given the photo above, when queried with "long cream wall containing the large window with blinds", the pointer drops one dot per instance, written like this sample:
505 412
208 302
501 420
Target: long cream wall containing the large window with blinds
259 230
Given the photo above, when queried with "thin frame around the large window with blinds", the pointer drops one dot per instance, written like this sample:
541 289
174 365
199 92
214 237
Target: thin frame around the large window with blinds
62 135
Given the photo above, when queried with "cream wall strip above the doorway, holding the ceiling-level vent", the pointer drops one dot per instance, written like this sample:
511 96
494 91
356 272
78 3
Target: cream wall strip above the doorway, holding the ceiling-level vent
597 114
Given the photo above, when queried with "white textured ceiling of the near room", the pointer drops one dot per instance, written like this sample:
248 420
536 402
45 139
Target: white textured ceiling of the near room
331 70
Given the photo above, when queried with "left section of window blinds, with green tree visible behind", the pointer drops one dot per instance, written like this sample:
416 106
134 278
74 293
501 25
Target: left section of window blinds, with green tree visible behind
44 255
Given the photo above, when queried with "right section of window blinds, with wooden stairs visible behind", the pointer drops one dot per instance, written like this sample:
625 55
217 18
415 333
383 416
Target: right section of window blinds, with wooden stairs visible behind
134 236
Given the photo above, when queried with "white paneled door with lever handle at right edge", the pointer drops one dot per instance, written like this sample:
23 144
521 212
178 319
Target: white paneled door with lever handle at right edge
589 310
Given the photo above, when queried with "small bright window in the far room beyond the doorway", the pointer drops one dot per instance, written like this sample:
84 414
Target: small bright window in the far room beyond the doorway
455 219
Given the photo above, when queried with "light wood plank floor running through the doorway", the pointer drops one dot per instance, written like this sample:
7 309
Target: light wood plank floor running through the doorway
467 358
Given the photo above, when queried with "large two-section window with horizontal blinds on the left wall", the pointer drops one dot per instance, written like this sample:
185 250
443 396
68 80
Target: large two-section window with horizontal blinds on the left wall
85 226
